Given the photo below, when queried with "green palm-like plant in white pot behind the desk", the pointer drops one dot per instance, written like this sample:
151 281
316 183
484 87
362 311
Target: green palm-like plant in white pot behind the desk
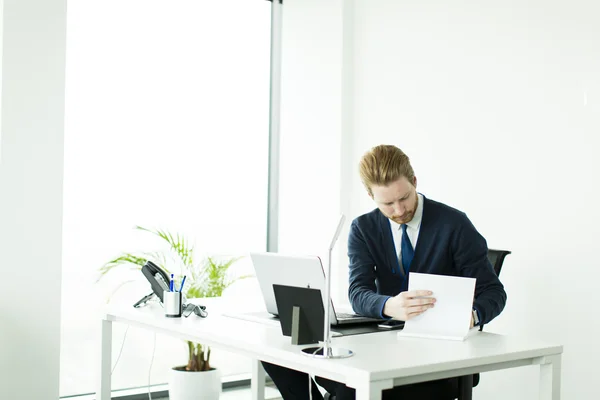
207 278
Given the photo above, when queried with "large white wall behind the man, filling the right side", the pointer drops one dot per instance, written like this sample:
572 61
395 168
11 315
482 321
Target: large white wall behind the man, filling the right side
498 106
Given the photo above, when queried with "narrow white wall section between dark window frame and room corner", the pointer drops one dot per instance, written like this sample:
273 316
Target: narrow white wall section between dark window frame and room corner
311 127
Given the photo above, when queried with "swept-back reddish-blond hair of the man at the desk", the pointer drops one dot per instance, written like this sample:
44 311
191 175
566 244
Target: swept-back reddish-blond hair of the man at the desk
383 165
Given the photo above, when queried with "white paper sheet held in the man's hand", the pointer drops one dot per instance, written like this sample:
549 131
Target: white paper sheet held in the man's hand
450 318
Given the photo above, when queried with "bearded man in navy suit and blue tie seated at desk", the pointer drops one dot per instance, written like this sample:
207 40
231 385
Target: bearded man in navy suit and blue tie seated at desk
406 232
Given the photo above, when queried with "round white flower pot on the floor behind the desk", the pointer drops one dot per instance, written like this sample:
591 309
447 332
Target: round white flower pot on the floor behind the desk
187 385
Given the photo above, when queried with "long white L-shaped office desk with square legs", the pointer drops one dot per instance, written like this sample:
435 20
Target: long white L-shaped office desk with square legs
381 360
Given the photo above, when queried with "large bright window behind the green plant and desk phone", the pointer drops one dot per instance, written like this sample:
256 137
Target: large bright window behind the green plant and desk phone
166 127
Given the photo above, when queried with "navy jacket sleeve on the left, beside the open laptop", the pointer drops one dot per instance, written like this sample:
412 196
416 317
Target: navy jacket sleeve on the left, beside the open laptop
362 290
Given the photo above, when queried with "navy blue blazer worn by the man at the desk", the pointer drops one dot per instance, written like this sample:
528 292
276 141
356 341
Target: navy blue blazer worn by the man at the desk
448 244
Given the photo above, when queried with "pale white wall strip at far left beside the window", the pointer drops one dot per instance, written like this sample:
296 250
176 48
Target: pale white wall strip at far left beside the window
31 172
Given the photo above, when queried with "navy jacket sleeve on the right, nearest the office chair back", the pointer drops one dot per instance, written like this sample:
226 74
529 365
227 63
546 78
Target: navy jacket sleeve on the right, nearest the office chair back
469 251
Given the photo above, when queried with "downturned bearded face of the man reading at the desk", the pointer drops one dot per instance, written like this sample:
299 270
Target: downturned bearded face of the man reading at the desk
398 200
